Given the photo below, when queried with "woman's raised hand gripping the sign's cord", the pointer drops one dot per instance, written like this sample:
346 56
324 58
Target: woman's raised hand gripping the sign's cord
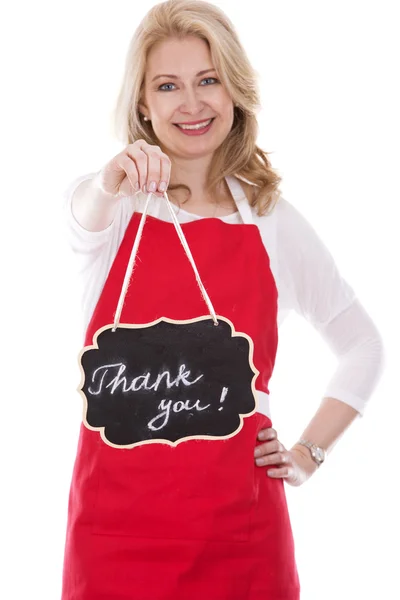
139 166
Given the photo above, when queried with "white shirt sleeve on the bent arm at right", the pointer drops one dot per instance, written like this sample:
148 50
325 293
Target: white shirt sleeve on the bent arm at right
317 291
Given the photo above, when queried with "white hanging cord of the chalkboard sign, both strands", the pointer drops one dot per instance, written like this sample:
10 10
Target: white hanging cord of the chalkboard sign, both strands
132 258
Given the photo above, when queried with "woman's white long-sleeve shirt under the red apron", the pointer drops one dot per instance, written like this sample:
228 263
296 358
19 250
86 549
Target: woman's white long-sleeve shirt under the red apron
306 276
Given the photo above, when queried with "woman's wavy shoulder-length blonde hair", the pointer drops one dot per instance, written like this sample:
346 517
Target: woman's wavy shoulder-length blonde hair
238 155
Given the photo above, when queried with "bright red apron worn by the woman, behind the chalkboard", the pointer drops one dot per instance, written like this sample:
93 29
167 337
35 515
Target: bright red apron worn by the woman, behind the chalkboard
200 520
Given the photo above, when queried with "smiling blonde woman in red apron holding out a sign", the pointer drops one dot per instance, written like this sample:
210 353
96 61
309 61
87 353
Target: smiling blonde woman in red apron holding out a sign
201 517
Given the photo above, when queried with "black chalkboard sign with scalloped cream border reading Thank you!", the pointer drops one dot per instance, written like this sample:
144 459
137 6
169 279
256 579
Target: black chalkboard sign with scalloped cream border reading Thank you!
168 381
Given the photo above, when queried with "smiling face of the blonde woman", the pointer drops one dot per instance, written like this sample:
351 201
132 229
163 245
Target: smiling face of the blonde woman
182 87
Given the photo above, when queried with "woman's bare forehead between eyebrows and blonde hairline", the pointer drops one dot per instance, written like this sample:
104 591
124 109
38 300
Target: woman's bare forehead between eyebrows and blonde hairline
182 57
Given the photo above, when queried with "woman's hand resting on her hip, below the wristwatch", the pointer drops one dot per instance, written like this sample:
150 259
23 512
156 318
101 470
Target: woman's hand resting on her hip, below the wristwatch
295 466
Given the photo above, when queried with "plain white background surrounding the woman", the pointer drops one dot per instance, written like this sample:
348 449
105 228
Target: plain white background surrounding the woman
330 118
